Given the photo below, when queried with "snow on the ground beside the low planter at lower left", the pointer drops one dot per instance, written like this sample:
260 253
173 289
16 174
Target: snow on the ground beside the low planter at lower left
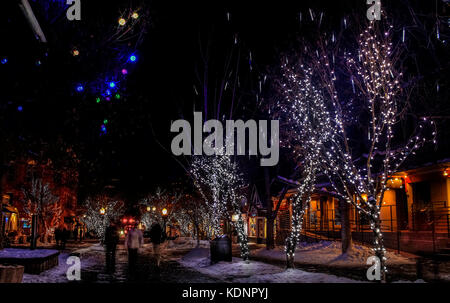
58 274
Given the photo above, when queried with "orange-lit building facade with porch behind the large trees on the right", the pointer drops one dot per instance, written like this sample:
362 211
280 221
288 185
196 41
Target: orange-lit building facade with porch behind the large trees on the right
415 213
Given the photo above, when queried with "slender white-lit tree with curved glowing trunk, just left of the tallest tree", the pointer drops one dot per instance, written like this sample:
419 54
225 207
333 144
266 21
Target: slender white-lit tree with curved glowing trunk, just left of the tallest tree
307 126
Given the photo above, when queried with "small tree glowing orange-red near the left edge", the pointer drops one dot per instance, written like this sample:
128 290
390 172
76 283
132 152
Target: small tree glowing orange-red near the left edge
40 200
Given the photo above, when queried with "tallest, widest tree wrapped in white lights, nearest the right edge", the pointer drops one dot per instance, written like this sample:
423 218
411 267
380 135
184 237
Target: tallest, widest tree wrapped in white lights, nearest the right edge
376 106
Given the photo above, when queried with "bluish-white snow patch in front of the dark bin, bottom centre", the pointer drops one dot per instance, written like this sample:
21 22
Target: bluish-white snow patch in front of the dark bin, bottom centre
253 271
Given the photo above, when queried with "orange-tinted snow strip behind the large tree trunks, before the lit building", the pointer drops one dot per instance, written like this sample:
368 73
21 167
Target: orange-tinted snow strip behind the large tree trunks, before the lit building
329 252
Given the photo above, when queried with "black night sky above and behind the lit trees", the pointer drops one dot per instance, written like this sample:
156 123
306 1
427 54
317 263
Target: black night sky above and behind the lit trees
159 90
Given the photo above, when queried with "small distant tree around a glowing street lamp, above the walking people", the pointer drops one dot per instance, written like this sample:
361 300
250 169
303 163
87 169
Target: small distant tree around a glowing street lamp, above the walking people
100 211
